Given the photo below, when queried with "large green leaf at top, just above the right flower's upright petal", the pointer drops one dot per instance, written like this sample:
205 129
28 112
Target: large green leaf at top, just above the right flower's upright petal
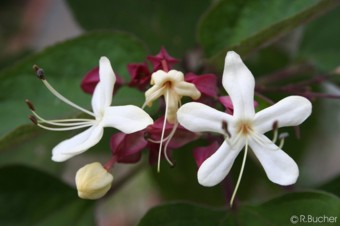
244 26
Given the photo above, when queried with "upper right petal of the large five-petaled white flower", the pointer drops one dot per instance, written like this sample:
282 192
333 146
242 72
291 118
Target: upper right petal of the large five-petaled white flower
290 111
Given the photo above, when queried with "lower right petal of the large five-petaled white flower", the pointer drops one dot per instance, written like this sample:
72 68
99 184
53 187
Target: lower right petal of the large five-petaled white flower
279 167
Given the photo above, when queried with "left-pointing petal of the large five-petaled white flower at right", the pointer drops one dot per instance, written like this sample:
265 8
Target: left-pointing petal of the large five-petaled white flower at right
198 117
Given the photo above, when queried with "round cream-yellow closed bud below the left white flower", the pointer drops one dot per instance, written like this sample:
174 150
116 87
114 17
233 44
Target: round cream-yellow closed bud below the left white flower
93 181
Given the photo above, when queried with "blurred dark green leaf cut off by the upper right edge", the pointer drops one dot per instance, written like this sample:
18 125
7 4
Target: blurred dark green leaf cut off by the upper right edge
320 43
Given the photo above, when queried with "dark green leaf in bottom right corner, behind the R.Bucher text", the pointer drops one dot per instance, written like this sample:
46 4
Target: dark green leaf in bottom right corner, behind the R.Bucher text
294 206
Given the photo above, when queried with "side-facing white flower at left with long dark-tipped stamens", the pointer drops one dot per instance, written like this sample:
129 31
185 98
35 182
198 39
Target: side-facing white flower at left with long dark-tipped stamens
127 119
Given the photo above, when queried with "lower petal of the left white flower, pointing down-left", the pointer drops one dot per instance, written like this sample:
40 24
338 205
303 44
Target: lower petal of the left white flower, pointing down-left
77 144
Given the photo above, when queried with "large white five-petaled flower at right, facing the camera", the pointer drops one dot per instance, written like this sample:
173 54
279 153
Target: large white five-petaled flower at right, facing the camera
245 128
